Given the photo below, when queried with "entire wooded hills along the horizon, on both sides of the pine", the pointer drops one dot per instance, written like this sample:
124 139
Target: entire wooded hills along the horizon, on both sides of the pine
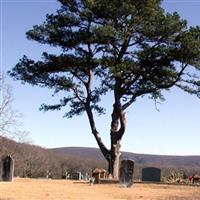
35 161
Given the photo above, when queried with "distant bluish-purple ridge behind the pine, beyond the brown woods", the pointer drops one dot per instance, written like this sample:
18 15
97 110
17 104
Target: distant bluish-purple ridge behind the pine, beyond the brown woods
140 159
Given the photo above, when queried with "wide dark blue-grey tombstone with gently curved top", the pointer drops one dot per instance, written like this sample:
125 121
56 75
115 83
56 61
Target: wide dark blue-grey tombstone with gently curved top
151 174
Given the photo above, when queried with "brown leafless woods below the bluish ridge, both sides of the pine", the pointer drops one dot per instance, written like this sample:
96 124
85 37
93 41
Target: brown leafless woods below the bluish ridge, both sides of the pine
33 161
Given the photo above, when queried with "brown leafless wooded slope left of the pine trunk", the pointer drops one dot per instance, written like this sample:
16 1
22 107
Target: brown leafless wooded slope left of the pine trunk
36 162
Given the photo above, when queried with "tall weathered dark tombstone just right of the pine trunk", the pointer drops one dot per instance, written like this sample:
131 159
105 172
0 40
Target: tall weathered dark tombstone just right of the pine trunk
126 173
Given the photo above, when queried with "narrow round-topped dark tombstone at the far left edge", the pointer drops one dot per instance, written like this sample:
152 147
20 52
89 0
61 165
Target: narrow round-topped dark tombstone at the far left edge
7 168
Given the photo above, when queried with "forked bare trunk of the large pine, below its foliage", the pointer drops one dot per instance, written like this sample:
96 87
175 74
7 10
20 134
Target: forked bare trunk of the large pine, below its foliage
118 125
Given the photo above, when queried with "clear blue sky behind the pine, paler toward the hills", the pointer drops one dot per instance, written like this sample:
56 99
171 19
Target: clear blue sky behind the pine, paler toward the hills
172 131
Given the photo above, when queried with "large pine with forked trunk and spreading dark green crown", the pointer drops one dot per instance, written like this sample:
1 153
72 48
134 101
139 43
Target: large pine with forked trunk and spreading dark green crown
129 48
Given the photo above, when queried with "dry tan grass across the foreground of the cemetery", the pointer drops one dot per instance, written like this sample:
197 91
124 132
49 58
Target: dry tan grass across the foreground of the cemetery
42 189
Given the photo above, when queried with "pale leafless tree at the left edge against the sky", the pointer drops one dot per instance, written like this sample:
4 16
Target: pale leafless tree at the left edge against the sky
10 119
